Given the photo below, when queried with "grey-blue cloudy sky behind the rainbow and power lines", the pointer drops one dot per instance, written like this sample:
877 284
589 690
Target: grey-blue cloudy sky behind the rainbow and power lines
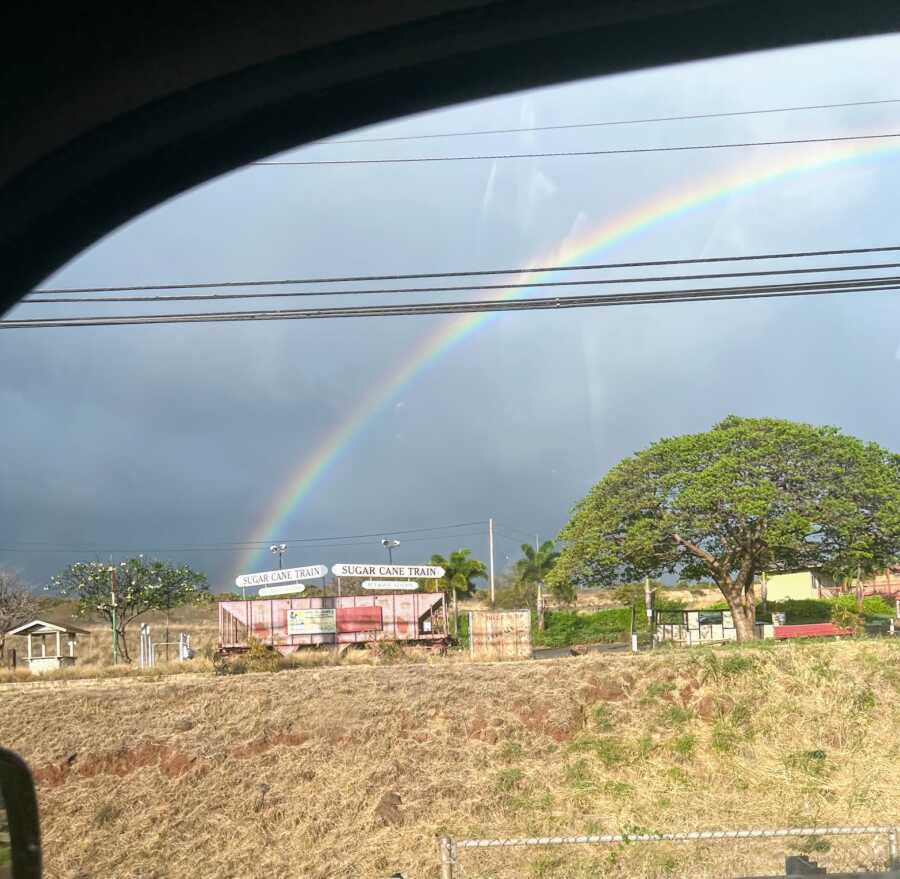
168 439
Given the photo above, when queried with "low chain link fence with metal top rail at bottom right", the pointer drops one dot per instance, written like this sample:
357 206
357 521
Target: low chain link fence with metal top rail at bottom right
828 844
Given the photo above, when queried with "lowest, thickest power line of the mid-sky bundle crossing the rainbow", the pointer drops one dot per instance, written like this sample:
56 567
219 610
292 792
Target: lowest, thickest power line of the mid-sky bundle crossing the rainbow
473 306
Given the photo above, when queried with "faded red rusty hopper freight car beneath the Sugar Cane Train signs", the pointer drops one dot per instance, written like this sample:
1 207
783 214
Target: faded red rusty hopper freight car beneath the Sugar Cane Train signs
288 624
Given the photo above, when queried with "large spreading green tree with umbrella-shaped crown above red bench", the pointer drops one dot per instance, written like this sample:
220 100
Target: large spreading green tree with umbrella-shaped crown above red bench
750 495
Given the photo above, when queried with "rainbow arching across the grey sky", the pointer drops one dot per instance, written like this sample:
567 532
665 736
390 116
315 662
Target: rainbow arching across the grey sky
671 205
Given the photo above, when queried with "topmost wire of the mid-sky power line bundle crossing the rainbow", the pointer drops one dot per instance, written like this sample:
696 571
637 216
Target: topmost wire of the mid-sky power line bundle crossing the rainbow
469 274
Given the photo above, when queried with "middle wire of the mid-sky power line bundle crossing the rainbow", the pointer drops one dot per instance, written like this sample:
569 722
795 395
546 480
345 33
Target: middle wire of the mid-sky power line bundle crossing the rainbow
194 297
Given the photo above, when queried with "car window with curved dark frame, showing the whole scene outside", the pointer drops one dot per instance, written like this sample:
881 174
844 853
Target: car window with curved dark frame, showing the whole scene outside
314 463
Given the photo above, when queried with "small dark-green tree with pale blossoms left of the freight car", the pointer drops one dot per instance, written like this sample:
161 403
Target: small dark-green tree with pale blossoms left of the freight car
139 585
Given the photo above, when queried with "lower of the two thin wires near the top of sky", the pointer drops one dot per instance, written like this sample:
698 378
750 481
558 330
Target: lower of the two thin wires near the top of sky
581 153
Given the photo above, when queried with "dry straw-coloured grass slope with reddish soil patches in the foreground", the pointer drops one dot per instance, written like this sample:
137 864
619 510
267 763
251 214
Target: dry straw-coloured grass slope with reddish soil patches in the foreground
356 771
